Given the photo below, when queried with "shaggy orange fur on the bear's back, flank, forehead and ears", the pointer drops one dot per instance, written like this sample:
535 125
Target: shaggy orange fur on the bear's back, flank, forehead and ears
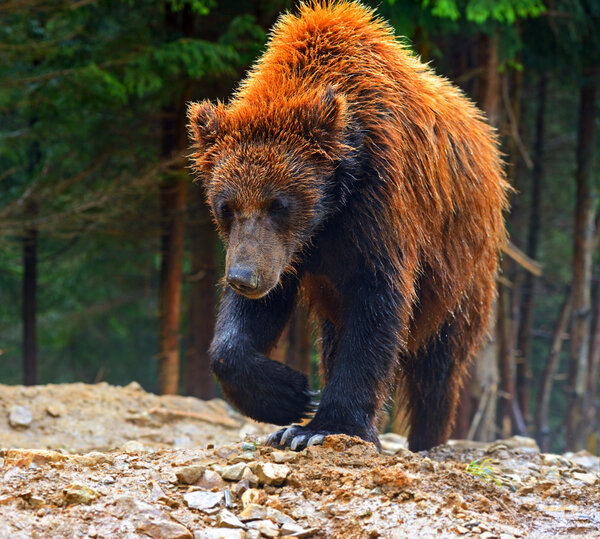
434 214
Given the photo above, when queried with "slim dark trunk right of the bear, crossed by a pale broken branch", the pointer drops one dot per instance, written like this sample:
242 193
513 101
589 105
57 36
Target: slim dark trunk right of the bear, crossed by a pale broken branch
528 287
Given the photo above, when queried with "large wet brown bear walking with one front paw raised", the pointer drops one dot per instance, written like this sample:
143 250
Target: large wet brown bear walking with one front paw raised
346 172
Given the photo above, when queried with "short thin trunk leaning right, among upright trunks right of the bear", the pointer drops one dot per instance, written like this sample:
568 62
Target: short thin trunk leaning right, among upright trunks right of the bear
541 422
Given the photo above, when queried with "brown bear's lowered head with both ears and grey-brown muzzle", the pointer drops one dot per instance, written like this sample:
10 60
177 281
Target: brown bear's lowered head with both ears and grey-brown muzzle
267 170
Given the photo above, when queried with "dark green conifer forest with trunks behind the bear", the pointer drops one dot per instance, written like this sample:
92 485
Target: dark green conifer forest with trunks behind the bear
109 262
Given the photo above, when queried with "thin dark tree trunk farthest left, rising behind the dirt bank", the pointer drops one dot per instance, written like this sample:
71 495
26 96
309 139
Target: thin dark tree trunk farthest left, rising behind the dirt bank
30 300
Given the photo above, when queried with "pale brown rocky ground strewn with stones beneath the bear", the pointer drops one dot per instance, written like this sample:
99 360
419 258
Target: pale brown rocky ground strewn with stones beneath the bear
102 462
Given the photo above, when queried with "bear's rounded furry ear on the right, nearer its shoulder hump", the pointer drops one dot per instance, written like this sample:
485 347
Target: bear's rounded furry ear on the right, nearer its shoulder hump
327 121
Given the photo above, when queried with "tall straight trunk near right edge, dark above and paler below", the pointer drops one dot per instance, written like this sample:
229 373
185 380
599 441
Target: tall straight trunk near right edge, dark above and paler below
582 263
